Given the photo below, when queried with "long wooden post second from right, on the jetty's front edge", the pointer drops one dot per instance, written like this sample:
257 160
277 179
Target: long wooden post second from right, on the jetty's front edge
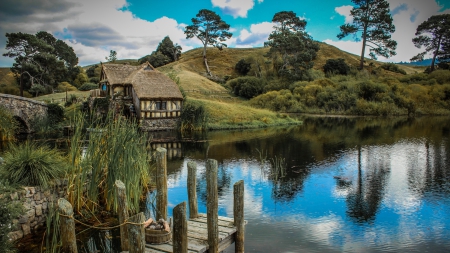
212 206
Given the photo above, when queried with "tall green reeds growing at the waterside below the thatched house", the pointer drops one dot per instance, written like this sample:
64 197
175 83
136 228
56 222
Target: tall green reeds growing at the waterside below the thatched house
109 151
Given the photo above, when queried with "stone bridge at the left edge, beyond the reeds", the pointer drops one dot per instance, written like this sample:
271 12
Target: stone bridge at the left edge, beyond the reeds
25 110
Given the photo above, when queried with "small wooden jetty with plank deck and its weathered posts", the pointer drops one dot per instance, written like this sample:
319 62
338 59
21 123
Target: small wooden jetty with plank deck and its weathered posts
200 233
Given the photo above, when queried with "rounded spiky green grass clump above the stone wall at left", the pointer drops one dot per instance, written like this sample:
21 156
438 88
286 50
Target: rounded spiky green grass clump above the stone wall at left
33 165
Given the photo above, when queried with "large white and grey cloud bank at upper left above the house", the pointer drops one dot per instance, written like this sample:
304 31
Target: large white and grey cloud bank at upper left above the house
90 32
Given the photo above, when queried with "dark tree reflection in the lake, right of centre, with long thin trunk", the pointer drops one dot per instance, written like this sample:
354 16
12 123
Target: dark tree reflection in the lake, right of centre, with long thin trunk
364 201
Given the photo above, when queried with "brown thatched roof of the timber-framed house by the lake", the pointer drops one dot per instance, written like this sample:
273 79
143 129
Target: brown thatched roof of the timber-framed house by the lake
147 82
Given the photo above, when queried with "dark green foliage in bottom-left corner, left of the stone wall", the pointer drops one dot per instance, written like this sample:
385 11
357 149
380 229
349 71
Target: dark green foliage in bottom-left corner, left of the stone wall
9 210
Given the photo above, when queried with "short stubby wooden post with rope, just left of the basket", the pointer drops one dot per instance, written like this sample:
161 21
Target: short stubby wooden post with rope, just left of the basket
136 233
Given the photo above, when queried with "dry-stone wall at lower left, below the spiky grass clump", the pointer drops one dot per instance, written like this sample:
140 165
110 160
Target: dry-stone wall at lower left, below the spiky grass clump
36 202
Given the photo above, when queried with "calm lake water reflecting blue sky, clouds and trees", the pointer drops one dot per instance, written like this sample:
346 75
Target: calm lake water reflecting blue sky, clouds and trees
351 185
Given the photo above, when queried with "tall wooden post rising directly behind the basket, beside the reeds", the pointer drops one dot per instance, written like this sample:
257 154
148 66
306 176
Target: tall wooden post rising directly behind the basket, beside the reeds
161 184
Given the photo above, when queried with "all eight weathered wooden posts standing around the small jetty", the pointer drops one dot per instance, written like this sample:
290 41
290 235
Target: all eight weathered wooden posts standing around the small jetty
132 234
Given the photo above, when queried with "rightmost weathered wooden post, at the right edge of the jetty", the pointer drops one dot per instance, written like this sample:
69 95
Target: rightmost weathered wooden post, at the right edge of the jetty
238 211
